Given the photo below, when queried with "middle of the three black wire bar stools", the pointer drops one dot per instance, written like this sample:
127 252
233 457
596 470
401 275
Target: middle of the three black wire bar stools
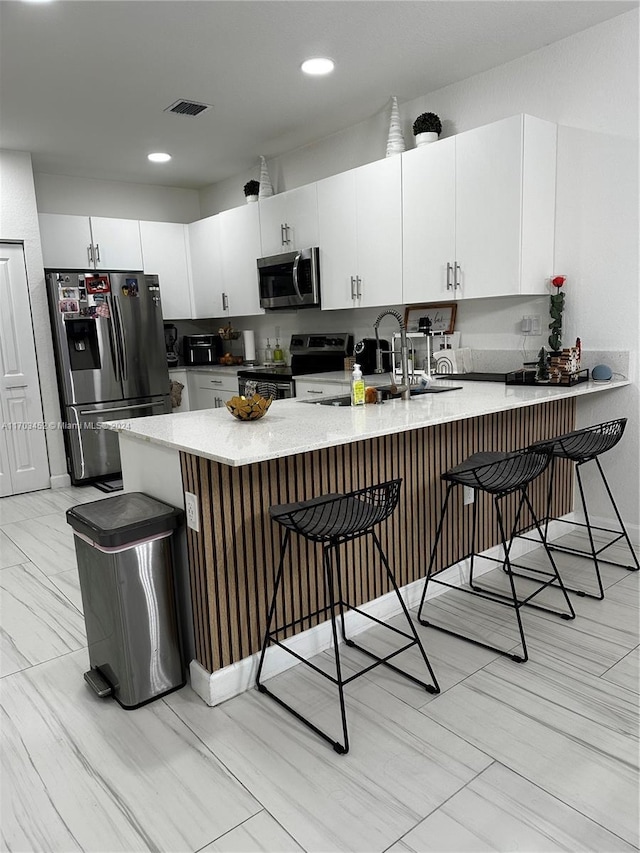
499 474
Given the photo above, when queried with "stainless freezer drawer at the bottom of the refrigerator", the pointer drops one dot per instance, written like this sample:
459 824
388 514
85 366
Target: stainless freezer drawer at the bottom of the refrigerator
93 451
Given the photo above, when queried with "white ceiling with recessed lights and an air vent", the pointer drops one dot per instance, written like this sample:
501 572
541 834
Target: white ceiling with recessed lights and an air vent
84 83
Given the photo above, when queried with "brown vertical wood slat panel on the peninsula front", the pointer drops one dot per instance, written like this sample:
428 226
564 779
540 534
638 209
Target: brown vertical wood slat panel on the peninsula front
233 560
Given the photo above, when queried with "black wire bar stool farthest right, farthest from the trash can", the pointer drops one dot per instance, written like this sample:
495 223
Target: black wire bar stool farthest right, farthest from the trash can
582 446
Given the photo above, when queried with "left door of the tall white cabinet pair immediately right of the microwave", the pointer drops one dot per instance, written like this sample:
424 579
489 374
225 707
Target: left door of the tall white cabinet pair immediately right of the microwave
337 227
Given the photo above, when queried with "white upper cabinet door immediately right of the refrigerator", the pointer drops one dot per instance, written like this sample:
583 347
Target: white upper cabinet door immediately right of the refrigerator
164 253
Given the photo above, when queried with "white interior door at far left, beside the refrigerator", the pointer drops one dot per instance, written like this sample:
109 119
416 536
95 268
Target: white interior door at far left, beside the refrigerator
23 449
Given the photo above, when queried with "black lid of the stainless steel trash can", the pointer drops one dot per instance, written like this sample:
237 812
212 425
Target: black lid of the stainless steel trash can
125 518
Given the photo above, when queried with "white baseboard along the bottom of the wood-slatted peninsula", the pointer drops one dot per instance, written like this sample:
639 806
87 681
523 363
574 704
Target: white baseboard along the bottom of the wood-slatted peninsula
216 687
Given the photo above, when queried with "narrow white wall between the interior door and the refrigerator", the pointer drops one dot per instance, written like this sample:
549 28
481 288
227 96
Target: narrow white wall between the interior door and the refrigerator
19 221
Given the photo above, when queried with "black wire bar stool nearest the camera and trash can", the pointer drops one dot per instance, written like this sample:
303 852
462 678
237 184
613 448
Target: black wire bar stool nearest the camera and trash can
333 520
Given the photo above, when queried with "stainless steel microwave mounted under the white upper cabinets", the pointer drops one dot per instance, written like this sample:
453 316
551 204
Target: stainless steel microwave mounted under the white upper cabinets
290 280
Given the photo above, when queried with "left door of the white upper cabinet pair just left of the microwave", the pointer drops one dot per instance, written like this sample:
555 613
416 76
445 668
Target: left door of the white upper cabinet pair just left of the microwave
206 268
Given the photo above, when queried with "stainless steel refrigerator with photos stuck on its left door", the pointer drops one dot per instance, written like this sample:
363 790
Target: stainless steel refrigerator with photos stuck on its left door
111 361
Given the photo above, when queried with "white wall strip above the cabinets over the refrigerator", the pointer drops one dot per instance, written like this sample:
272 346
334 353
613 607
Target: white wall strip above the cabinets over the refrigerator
91 197
